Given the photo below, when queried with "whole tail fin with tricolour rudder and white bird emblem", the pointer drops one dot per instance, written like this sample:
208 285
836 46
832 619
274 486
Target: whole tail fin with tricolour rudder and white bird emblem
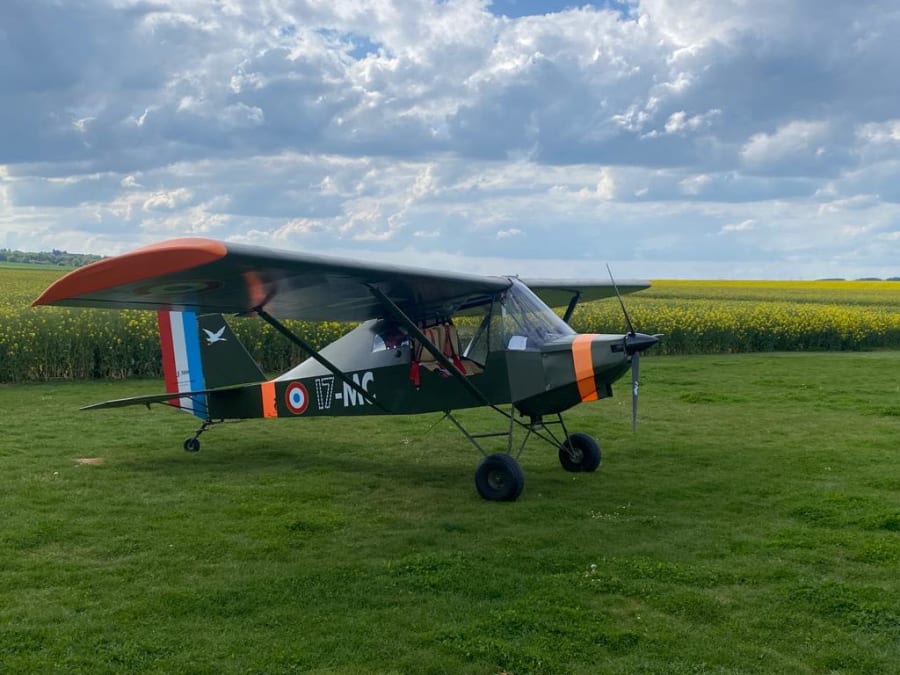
201 353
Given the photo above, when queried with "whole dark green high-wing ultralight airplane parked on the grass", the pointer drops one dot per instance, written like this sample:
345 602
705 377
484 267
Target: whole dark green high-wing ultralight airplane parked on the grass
404 357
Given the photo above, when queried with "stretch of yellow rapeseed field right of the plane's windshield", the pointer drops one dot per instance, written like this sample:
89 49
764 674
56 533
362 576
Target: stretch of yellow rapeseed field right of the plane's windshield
752 316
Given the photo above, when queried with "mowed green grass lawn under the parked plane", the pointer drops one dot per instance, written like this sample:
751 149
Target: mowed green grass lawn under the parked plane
752 524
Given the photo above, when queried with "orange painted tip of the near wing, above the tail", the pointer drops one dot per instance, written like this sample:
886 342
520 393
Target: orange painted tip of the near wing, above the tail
167 257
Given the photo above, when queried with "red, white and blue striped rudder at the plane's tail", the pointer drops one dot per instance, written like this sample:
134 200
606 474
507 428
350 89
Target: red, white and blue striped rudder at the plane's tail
182 368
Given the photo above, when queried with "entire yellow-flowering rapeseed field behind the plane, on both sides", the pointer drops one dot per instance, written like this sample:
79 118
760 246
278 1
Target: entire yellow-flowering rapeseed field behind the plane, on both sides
695 317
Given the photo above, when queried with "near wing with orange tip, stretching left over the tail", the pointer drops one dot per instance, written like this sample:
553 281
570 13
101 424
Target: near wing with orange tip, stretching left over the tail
207 276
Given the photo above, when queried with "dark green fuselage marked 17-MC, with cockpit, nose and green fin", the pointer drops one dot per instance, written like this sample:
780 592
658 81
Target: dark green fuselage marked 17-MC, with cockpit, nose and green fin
520 352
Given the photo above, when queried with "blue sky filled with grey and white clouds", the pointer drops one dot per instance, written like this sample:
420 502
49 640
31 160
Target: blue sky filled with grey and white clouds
668 138
